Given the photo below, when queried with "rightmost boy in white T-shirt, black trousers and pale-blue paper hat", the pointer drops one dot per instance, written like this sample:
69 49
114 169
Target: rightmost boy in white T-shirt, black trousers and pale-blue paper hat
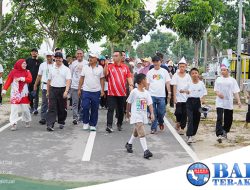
225 88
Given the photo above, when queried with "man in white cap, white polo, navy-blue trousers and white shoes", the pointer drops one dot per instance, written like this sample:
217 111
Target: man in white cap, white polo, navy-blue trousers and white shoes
92 83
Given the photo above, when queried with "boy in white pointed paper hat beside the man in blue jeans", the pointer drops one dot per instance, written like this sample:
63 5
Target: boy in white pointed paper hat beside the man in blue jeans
180 81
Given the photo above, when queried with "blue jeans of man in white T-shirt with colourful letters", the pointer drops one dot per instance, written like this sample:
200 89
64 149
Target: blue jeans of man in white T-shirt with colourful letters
159 111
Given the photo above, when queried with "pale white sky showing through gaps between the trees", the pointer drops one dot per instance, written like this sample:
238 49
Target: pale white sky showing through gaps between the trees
95 47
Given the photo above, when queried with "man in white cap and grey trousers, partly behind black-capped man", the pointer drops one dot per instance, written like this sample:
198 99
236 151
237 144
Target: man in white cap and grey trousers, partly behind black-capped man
43 74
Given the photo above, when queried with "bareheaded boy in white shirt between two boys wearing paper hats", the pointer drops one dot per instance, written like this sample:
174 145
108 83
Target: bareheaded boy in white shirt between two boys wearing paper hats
195 96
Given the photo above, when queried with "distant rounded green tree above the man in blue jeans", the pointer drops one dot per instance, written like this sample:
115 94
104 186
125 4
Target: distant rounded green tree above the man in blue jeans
159 42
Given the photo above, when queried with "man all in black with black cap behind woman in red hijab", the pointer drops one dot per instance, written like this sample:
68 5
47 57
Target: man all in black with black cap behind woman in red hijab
33 64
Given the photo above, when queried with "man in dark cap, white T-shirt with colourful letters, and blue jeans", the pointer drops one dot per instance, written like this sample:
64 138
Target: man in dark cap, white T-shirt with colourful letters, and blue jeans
158 78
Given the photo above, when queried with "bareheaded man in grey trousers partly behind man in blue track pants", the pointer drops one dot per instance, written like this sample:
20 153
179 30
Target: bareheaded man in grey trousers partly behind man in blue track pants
76 69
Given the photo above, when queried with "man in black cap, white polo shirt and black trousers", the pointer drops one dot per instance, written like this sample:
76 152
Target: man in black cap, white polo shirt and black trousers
58 84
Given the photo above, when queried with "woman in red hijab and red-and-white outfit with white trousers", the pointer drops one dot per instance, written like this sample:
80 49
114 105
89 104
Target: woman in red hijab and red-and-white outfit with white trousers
18 79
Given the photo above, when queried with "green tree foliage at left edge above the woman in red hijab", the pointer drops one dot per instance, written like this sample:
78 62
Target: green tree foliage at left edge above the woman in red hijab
19 39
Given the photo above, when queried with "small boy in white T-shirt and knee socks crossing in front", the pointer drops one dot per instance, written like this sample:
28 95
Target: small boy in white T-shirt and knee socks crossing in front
137 103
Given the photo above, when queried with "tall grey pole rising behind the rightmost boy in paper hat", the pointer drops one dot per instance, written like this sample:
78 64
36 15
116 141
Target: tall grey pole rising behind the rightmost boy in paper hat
238 76
